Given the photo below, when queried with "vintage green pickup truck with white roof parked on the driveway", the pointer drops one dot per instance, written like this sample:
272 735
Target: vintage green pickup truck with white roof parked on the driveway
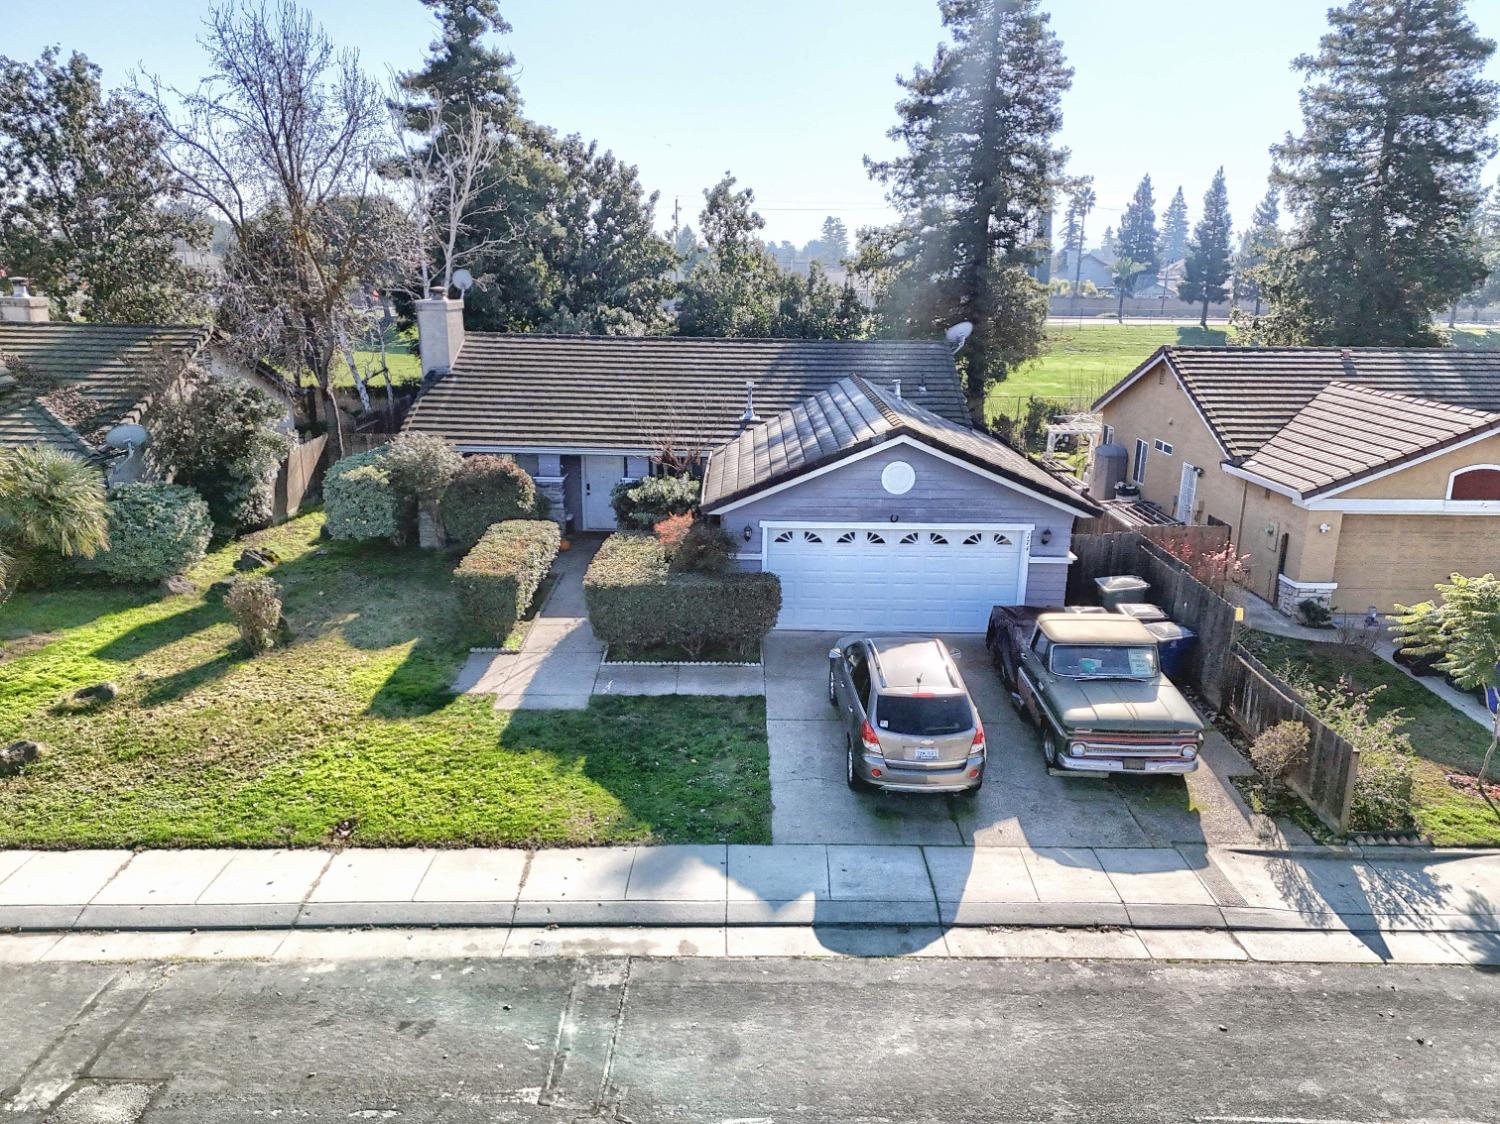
1094 688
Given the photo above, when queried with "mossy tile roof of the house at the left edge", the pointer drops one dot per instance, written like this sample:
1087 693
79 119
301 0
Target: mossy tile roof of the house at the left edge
97 364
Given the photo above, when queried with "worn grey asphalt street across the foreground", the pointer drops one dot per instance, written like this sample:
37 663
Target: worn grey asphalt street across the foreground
752 1042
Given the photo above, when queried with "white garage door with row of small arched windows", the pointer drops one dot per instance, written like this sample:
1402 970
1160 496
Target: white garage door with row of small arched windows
887 577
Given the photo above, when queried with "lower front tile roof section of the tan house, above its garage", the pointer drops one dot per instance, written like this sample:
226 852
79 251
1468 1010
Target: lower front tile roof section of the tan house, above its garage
1349 433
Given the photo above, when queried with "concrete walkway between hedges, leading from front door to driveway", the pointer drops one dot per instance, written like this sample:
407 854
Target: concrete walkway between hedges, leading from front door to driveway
560 663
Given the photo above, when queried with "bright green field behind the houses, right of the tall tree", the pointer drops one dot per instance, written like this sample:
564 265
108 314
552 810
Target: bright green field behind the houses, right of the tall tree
1085 362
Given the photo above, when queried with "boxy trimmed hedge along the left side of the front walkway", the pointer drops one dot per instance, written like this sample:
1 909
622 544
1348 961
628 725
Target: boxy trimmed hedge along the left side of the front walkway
500 577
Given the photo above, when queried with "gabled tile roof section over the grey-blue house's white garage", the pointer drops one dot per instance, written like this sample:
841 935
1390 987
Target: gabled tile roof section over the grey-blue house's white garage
850 416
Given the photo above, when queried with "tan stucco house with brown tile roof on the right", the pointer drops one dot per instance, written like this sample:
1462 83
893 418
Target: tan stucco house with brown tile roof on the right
1355 478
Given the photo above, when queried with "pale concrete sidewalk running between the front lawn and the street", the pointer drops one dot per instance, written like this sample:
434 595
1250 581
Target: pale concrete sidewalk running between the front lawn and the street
1243 889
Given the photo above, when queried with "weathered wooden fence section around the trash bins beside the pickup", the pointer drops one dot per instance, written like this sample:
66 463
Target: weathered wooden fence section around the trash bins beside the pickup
1180 595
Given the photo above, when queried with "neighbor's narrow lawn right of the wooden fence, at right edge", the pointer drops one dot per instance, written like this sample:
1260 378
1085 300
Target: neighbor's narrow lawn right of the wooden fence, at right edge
1444 739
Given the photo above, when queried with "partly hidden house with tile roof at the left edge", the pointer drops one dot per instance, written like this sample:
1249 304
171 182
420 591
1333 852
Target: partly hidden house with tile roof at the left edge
77 382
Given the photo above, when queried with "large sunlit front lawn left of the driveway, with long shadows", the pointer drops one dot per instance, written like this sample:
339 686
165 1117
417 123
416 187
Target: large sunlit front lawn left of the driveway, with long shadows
352 723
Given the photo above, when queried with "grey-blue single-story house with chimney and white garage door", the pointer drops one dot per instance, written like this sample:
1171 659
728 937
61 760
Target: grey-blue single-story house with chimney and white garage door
847 467
